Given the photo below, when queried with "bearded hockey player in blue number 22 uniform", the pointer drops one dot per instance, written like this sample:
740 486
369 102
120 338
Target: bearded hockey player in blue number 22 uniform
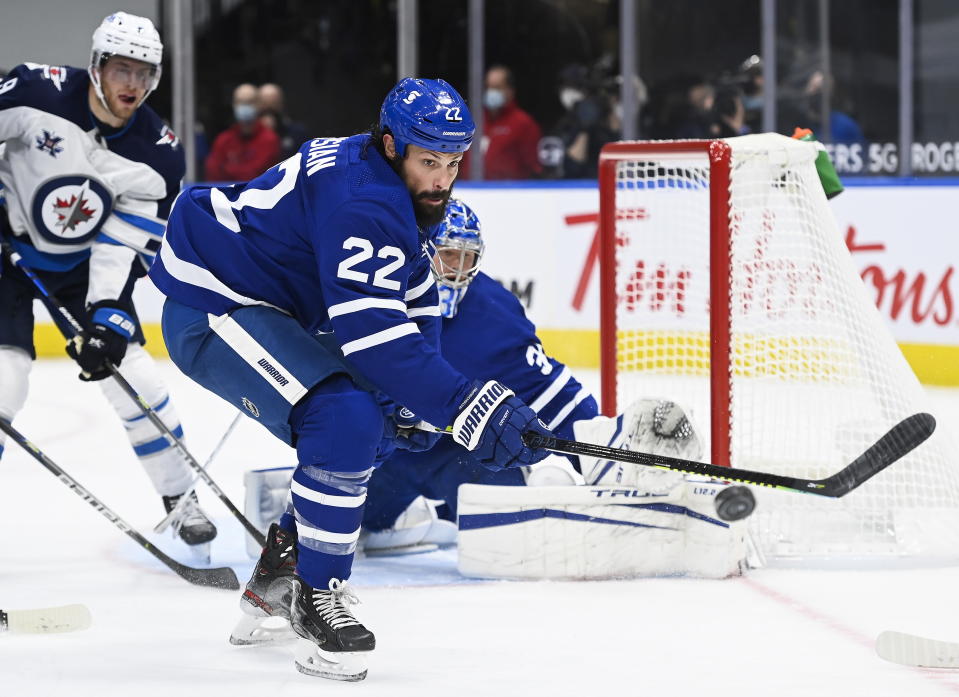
305 298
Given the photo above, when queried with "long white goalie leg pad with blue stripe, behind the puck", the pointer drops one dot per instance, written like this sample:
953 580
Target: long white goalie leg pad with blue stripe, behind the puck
586 532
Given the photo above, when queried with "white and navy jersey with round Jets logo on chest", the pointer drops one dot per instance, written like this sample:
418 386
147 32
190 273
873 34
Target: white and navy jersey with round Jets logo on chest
70 181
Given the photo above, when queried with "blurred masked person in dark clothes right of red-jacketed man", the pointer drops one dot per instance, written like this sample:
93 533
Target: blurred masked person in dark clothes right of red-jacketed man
589 122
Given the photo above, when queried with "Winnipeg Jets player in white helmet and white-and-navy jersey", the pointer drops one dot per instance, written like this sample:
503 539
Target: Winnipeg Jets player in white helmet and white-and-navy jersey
88 174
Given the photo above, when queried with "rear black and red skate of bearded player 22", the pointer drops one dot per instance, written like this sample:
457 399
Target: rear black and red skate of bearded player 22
268 594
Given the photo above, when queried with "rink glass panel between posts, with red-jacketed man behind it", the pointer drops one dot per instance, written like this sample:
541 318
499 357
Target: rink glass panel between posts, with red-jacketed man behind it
556 50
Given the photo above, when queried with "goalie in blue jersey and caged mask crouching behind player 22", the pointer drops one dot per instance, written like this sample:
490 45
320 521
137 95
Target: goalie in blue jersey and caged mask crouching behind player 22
473 304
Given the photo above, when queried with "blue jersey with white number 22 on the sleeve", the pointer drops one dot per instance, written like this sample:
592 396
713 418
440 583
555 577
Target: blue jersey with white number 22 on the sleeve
328 236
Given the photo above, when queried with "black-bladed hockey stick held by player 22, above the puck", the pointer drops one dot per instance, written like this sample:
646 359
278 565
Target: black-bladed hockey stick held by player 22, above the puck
901 439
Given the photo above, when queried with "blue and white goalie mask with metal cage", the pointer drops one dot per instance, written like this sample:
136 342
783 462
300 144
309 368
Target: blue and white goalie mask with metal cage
458 249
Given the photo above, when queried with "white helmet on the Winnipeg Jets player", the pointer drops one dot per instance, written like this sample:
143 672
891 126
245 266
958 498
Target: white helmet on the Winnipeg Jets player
122 34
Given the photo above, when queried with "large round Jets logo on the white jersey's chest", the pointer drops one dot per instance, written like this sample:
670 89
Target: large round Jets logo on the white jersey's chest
70 210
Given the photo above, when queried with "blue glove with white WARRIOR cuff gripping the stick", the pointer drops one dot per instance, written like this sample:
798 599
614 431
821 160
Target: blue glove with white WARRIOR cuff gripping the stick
491 423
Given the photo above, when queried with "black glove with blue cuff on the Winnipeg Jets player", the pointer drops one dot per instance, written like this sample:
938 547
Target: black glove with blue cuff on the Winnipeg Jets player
112 328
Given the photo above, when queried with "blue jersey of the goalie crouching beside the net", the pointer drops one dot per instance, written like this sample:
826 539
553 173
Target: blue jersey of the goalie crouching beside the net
490 337
